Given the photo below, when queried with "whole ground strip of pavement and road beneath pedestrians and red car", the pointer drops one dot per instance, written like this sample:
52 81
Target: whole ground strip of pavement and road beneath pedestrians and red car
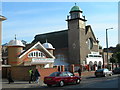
87 82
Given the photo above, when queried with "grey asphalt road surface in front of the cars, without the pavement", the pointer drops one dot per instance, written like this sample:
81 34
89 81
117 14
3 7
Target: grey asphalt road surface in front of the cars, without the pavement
93 82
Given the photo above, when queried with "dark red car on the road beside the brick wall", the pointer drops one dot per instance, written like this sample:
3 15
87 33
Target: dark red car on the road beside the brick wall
61 78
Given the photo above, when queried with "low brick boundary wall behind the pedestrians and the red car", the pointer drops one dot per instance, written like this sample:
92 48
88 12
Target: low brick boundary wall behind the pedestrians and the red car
22 72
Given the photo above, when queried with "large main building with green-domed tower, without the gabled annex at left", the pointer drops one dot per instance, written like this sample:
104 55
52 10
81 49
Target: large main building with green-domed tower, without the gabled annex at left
75 45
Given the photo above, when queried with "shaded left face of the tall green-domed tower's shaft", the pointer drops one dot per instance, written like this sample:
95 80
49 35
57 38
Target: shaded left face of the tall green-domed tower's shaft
74 41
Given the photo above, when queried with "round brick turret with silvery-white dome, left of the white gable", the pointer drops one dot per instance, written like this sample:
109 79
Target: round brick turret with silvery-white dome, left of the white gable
15 48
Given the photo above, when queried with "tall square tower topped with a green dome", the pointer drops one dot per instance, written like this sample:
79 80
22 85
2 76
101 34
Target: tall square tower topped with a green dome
76 31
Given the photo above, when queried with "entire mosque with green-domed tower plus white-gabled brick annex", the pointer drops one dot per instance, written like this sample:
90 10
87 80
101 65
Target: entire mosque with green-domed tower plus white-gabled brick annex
77 45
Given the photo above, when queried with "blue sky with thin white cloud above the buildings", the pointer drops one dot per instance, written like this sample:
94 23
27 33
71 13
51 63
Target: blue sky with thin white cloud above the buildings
27 19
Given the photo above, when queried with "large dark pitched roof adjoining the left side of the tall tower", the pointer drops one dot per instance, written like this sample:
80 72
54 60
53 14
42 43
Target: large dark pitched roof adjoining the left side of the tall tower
58 39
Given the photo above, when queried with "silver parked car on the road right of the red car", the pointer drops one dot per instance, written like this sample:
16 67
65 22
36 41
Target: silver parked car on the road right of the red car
103 72
